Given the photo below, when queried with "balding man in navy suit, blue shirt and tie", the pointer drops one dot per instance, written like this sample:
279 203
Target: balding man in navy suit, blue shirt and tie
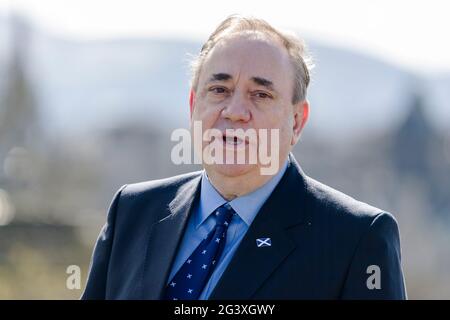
229 231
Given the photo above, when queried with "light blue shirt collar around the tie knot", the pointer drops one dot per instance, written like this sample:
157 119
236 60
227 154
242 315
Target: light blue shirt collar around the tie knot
246 206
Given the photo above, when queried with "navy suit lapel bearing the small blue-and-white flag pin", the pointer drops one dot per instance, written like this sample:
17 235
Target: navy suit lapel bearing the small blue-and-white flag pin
252 265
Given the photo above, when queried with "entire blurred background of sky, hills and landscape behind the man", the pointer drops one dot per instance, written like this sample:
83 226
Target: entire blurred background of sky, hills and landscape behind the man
90 92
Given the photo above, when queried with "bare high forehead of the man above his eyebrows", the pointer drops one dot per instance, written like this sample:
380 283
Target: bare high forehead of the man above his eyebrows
248 55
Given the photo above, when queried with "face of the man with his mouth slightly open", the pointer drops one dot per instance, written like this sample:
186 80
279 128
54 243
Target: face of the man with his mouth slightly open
246 82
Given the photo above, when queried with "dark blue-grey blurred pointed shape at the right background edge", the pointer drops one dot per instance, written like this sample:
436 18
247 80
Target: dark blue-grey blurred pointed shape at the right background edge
417 151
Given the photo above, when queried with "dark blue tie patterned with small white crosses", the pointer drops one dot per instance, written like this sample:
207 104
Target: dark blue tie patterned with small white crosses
191 278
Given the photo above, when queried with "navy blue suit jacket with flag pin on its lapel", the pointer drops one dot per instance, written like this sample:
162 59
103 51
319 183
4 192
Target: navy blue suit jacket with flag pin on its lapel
323 244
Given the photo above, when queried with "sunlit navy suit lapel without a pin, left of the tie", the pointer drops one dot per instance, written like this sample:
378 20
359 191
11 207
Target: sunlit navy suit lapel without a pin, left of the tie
164 238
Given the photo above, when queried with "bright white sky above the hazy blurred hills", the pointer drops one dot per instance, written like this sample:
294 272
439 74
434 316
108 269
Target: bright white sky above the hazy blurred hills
410 33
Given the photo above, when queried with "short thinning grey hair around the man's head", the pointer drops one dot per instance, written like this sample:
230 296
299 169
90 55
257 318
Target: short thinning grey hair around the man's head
295 47
